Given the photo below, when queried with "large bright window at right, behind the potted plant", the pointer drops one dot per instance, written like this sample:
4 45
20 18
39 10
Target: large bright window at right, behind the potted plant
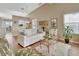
72 20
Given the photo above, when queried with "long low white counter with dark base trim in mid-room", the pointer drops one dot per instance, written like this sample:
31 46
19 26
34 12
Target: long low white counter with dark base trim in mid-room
30 39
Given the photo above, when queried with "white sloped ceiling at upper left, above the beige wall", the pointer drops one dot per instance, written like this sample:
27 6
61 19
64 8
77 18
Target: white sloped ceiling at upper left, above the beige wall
19 9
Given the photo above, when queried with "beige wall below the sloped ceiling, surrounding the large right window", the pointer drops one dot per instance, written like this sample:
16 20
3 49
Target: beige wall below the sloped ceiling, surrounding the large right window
58 10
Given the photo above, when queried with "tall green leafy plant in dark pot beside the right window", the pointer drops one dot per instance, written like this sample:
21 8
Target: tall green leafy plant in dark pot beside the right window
67 33
